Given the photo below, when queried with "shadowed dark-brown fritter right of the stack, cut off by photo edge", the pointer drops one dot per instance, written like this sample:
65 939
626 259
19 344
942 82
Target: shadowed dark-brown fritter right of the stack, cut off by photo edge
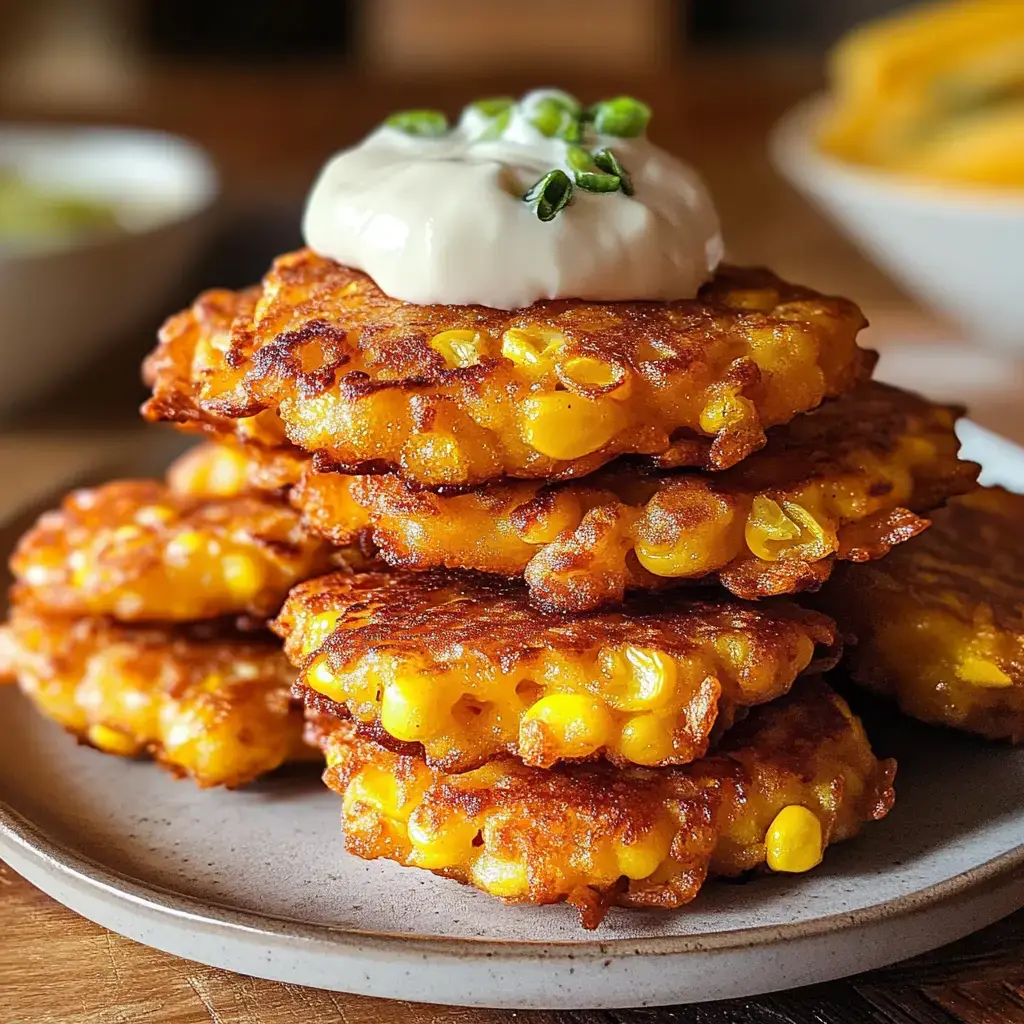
941 624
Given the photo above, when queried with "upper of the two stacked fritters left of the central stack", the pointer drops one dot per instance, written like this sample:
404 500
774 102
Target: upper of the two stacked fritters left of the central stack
141 552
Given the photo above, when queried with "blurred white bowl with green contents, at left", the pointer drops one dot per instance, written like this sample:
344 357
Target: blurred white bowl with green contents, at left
62 305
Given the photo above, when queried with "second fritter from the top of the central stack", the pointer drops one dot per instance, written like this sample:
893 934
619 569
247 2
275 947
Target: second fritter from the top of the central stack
846 482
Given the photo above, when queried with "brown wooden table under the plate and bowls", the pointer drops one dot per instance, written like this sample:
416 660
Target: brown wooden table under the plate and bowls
270 135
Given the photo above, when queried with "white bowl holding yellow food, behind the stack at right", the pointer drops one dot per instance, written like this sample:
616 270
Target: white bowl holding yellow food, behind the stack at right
960 251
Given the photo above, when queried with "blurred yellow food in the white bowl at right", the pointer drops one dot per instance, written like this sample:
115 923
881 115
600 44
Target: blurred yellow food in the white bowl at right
935 93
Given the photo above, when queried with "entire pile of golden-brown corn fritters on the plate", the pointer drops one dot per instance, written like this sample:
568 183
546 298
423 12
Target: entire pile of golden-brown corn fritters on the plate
536 573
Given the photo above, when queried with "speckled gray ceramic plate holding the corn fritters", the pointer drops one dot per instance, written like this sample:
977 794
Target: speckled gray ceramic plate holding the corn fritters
258 882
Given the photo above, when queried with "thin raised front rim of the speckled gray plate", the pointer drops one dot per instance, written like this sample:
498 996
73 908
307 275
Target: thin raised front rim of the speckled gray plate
32 841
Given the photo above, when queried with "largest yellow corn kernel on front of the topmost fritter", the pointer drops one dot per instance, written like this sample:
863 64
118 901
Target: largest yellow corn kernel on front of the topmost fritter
564 425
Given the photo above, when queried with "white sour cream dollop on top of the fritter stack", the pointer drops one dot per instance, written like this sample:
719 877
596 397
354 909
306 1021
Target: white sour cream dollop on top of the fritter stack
442 220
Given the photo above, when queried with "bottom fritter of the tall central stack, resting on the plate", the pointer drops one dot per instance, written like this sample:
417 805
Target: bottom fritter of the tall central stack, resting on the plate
797 776
